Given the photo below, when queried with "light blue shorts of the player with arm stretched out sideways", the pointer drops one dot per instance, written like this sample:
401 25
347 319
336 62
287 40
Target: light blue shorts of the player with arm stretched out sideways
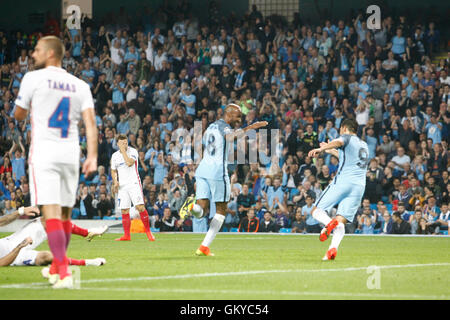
214 190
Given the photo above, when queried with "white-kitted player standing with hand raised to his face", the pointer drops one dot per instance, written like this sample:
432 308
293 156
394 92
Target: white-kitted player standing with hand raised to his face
126 181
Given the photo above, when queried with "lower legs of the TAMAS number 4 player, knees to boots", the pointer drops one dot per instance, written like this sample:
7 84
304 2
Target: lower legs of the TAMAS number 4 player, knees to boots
54 217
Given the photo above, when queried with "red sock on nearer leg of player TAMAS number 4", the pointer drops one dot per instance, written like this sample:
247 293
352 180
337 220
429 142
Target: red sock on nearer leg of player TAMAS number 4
57 243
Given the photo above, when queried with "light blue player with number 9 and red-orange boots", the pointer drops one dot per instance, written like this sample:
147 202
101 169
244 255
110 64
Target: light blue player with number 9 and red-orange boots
347 188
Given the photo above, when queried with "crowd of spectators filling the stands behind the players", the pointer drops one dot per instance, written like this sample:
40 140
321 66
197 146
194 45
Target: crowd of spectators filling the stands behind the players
153 75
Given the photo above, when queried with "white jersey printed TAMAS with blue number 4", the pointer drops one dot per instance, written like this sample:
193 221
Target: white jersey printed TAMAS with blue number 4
56 100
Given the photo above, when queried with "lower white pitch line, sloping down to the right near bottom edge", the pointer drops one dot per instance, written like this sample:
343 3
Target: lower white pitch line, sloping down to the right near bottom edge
258 292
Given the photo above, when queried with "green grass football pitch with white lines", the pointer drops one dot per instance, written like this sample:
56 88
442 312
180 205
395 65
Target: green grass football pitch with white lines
251 266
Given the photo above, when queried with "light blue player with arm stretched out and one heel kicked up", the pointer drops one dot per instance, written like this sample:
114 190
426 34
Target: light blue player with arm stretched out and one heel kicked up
211 176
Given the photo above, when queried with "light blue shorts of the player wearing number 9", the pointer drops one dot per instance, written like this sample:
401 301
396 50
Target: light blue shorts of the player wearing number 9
347 196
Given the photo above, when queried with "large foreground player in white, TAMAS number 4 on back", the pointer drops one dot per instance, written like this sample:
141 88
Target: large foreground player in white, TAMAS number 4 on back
56 101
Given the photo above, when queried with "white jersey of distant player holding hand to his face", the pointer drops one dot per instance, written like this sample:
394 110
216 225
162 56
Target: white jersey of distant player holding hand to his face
126 175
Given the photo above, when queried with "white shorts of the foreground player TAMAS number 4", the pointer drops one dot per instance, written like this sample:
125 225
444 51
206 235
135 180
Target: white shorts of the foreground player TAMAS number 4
52 183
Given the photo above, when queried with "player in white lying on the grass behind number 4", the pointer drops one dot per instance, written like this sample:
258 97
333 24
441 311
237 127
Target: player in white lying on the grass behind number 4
18 248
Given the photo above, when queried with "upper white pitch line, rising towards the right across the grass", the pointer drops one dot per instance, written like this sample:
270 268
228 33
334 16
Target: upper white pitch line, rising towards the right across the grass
236 273
